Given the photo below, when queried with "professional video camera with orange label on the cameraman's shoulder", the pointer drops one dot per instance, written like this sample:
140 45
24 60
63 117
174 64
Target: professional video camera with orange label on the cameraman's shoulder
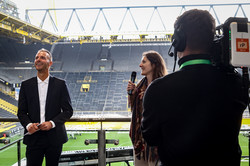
231 43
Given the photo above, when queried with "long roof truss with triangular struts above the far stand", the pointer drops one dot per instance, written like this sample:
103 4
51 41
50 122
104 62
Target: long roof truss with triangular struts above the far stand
123 23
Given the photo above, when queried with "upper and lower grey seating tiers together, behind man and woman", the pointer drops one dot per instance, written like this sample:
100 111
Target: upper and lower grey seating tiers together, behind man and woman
96 74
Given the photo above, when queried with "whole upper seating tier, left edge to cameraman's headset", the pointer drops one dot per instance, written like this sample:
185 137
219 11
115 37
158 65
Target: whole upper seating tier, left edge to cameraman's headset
75 57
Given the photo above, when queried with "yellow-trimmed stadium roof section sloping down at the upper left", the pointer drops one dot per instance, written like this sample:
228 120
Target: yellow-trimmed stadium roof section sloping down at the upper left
13 27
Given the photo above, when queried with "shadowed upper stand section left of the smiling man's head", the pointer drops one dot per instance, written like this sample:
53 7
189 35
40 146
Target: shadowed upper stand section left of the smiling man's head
16 60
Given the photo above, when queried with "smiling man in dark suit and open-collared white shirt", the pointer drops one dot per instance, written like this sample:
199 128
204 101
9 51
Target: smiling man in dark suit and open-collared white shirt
44 106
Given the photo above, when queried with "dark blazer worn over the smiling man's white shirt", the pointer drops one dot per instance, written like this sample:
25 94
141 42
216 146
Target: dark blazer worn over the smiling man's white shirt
58 109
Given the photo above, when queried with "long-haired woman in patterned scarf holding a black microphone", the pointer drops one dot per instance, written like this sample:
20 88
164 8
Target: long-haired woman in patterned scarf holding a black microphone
152 67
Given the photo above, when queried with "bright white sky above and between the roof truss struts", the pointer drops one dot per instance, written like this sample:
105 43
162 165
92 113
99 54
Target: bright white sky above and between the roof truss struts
142 17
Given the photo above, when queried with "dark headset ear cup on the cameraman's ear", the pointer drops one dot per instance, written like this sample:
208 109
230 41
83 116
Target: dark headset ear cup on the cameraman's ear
179 40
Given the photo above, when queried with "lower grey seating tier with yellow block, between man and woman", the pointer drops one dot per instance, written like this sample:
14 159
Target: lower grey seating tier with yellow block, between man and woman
98 91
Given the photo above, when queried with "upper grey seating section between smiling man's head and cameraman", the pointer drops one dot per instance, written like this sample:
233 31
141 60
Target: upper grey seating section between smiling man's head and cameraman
90 56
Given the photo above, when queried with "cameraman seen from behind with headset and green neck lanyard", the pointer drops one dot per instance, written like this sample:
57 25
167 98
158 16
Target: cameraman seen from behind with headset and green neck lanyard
194 115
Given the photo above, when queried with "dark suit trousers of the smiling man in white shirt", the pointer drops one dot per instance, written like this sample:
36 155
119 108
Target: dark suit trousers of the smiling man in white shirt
43 148
